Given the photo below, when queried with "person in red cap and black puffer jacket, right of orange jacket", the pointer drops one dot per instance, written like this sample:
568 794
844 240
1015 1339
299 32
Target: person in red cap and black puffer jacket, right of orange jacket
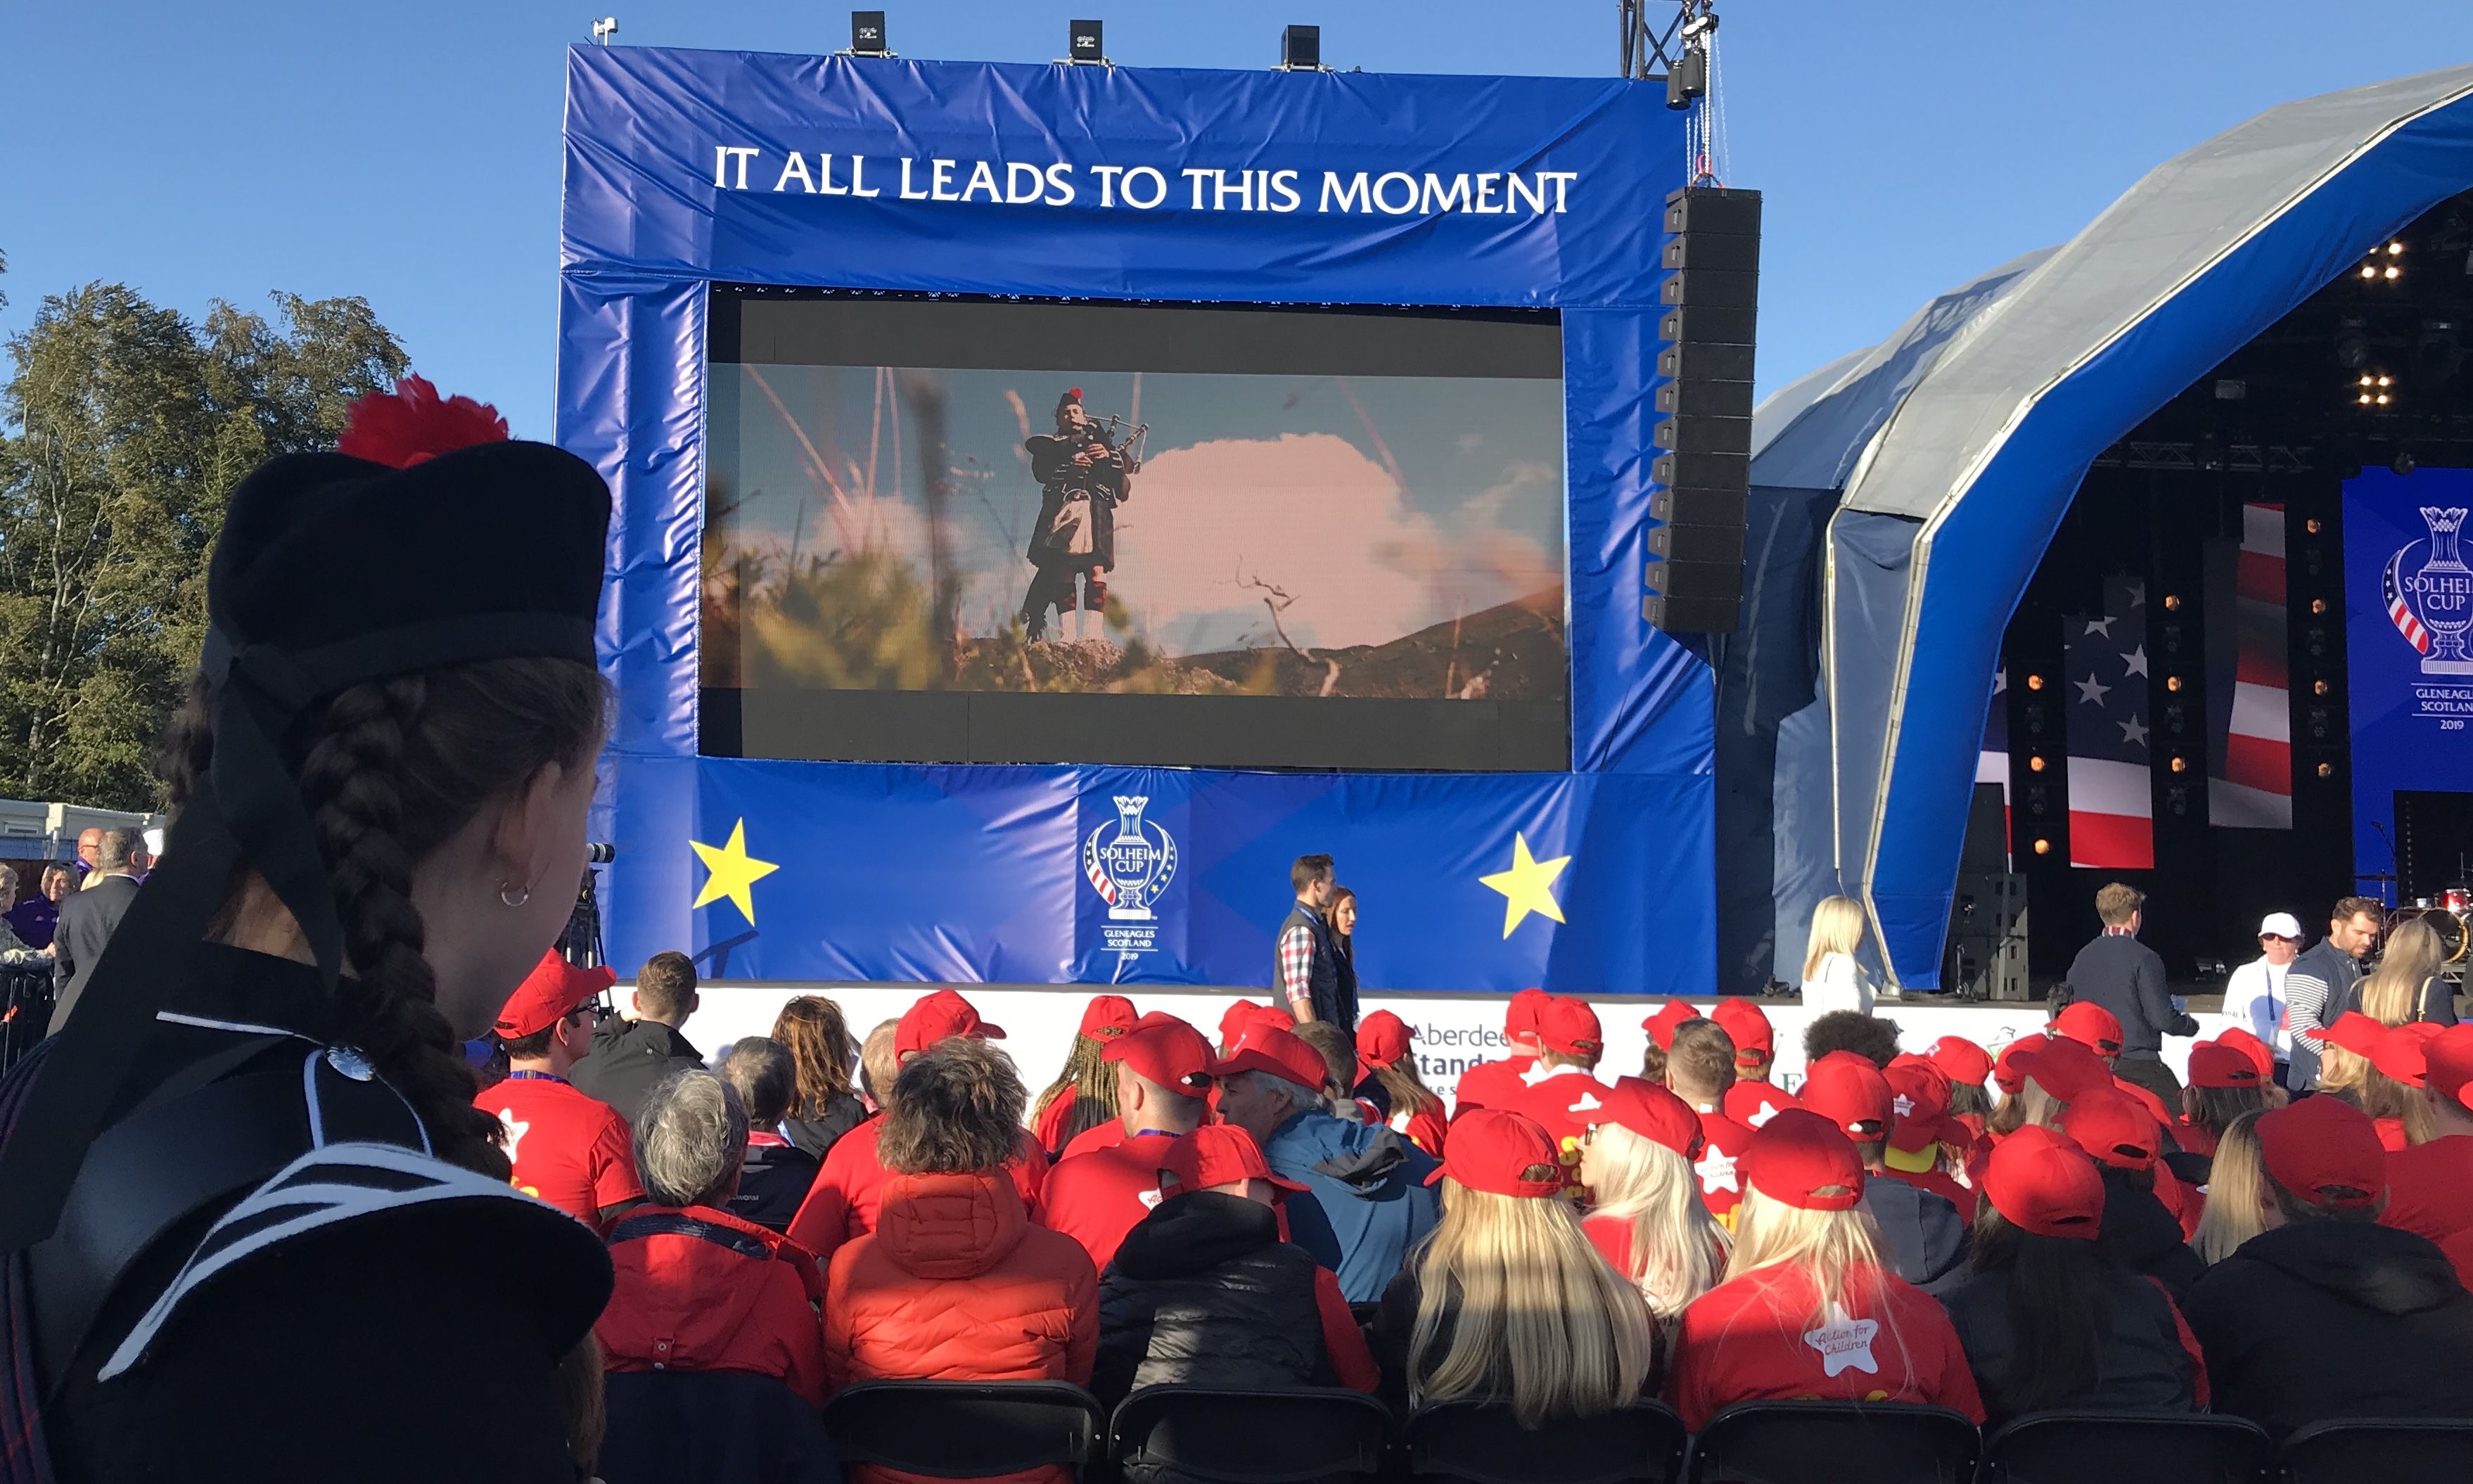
1203 1292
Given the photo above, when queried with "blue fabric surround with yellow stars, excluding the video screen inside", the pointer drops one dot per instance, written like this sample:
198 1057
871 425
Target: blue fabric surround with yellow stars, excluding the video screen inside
696 169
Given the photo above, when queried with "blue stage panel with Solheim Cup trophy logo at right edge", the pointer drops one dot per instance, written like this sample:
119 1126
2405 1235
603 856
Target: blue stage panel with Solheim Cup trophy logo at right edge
2407 615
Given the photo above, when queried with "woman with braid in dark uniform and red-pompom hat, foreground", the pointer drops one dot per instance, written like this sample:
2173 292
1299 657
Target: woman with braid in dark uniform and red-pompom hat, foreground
382 783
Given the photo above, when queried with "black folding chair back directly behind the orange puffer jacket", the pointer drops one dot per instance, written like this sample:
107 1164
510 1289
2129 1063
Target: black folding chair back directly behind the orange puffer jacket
966 1428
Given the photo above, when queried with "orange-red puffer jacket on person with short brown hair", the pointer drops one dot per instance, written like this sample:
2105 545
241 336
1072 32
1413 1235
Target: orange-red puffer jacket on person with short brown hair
958 1285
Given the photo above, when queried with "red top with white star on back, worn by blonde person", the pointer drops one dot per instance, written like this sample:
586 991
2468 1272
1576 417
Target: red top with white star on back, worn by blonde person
1757 1339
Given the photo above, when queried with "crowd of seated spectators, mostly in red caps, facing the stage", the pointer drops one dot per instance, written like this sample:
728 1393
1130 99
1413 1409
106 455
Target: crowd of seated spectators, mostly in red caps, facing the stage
1295 1208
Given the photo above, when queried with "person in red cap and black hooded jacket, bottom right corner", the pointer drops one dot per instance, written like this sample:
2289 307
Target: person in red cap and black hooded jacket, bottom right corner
2331 1315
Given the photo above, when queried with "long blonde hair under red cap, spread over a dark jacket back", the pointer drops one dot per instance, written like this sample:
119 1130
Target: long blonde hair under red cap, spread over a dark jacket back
1532 1310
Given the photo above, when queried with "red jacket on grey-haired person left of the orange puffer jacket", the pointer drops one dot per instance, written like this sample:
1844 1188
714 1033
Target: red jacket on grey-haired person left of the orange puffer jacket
701 1290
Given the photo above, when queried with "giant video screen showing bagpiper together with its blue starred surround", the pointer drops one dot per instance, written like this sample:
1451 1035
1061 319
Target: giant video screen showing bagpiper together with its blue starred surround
1055 498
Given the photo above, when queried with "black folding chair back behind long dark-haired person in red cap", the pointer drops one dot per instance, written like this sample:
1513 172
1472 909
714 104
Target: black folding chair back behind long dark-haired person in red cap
2128 1448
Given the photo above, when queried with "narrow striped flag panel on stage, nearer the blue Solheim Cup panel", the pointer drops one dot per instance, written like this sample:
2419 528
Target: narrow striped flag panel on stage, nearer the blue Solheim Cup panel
2252 783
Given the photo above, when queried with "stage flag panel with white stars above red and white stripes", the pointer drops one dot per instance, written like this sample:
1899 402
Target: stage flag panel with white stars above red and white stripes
2106 701
